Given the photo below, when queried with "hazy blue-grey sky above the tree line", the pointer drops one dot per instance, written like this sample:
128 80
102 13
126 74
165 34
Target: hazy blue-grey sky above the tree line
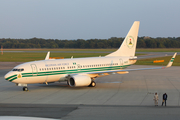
88 19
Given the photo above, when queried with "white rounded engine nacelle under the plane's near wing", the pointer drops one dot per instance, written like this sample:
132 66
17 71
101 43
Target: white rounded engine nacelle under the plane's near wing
79 81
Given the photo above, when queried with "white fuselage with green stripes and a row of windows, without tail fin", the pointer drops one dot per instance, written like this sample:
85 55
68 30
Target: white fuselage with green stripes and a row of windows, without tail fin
45 71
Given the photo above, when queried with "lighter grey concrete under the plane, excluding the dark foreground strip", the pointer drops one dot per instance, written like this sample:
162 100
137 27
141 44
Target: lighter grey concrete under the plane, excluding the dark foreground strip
135 88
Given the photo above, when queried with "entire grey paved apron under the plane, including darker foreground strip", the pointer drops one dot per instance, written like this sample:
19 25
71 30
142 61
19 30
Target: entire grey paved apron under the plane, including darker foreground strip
127 96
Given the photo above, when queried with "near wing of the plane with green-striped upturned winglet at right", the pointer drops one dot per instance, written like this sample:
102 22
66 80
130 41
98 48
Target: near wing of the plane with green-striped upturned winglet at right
124 71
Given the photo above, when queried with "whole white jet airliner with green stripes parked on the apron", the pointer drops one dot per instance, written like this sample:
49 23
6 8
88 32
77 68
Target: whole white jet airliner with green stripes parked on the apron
79 71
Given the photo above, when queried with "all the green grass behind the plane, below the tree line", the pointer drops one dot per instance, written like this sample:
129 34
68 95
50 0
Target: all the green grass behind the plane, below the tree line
32 56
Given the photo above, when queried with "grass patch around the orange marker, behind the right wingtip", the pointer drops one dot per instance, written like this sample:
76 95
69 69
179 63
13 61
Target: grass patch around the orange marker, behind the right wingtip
166 60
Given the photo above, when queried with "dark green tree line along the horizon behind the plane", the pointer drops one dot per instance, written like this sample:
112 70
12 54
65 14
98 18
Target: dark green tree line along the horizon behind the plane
114 42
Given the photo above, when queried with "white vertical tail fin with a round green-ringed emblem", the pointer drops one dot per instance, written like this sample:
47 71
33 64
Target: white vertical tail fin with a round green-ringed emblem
128 47
